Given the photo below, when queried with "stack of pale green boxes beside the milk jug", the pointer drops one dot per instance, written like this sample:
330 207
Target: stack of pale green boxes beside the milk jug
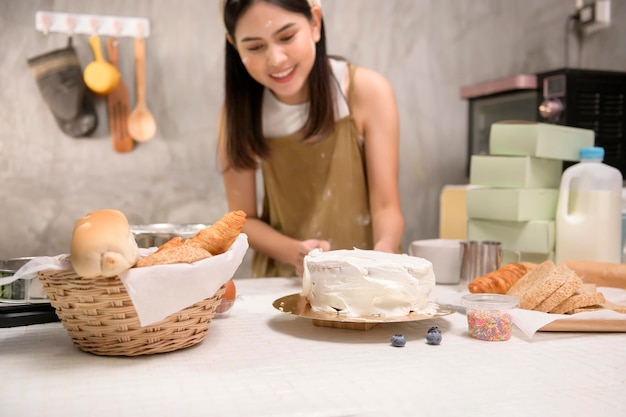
521 178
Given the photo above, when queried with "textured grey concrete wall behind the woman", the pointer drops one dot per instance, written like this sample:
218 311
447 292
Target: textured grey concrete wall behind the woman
427 48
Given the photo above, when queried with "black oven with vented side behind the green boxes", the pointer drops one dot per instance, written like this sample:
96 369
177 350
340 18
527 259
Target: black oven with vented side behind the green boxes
589 99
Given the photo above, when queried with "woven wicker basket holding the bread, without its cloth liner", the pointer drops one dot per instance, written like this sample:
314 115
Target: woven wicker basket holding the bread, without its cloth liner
100 317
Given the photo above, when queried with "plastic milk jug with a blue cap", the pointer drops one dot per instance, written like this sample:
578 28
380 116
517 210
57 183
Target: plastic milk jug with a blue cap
588 214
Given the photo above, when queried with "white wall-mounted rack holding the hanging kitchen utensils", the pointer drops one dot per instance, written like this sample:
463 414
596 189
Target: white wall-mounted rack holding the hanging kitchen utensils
91 24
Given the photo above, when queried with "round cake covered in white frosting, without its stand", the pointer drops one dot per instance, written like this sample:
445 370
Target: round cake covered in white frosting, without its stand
363 282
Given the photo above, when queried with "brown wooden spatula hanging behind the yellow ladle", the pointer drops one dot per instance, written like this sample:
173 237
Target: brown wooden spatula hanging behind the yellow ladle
117 103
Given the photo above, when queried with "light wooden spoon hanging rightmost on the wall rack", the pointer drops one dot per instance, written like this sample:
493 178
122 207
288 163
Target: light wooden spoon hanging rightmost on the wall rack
141 123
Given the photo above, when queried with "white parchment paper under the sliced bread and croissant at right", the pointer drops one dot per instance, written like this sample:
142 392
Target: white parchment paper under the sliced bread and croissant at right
529 322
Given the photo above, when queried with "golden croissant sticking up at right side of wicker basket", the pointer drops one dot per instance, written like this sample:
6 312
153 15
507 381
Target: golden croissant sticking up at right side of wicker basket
218 238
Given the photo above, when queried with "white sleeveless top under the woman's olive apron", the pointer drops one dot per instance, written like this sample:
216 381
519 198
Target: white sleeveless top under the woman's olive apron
280 119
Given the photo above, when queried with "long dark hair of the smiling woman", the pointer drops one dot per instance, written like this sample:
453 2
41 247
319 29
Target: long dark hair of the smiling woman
244 95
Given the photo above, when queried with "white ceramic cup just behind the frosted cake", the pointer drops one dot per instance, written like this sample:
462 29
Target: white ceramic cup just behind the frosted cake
444 254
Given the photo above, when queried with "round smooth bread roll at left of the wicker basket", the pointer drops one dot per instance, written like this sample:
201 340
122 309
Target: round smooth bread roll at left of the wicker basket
103 245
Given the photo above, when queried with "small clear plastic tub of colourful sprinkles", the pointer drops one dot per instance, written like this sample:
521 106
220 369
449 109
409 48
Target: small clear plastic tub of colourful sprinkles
489 315
